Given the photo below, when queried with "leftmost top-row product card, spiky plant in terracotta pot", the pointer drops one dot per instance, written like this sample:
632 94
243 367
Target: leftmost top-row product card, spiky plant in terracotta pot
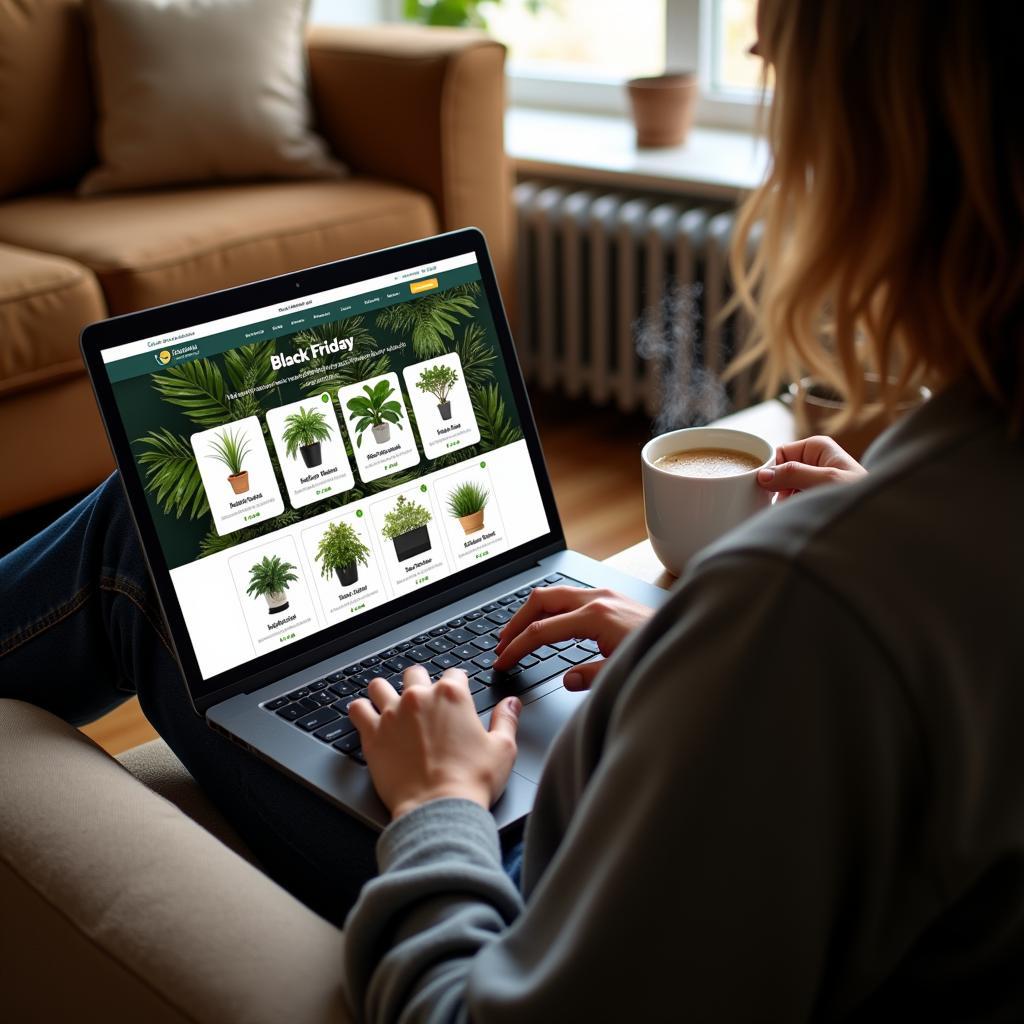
238 475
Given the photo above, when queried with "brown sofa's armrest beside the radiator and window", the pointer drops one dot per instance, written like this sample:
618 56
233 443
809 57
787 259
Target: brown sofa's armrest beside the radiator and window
423 107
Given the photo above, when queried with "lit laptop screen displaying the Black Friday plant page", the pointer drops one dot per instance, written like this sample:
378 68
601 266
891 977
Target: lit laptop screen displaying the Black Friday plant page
312 463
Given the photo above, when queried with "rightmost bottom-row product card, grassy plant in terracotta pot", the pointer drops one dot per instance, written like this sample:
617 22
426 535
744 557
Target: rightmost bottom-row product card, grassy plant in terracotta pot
473 518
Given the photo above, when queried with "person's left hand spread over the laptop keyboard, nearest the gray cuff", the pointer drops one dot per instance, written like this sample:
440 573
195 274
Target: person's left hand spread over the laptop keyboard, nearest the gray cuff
430 744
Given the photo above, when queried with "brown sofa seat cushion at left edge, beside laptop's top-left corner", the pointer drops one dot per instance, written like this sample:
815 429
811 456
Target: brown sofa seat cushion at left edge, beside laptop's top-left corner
45 304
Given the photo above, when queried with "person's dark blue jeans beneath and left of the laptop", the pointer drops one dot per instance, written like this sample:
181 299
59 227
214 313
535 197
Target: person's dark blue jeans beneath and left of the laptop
82 632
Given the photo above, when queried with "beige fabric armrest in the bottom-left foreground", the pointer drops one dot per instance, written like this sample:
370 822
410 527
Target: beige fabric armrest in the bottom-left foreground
117 907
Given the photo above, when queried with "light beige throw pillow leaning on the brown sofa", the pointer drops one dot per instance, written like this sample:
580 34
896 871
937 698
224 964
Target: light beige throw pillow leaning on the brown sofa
196 91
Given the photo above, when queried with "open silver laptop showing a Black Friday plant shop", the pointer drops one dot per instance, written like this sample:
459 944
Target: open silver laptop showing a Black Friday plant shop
336 475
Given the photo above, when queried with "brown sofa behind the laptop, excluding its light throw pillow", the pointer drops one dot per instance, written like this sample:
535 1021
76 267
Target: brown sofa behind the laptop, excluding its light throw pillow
416 114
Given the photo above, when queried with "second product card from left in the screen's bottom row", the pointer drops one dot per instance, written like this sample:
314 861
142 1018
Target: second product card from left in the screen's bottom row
348 566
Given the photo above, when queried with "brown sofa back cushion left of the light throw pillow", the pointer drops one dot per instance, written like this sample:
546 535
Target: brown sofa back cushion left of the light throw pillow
47 109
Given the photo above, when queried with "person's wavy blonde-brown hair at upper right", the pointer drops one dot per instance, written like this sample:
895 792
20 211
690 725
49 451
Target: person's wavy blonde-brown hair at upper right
890 228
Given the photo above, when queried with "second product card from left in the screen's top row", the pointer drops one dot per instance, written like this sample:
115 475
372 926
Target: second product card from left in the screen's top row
311 450
